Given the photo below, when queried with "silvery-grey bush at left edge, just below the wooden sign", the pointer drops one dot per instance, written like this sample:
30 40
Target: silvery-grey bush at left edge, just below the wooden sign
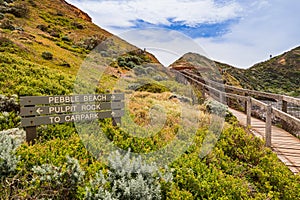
8 159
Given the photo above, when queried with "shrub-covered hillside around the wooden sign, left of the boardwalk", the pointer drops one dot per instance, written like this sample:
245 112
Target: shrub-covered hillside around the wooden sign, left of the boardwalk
44 47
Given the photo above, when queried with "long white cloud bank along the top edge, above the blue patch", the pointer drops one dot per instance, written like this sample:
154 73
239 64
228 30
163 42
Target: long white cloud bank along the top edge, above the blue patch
111 13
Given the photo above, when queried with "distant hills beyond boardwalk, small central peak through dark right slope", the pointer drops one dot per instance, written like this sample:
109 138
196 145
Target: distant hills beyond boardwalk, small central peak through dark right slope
280 74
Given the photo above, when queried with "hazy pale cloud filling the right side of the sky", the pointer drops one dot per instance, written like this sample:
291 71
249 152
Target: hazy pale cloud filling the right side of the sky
269 28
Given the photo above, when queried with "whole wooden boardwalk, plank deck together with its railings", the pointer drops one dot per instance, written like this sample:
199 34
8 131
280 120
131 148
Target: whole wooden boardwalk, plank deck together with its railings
284 144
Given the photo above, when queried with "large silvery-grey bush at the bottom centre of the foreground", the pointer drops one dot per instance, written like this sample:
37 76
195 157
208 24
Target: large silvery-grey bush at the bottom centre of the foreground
127 179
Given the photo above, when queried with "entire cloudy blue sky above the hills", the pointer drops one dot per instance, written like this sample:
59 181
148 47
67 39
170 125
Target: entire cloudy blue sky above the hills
237 32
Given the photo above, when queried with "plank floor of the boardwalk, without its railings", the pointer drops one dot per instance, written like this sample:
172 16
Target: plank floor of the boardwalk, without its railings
284 144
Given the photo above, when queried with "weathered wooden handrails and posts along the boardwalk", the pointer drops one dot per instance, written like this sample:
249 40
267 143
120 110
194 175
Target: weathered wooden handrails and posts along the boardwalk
220 92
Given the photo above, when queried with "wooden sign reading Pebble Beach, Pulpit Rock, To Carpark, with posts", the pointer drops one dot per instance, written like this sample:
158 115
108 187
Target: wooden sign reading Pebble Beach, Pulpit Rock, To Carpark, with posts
41 110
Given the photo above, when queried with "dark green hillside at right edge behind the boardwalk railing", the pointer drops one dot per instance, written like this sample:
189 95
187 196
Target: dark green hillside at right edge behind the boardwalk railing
280 74
